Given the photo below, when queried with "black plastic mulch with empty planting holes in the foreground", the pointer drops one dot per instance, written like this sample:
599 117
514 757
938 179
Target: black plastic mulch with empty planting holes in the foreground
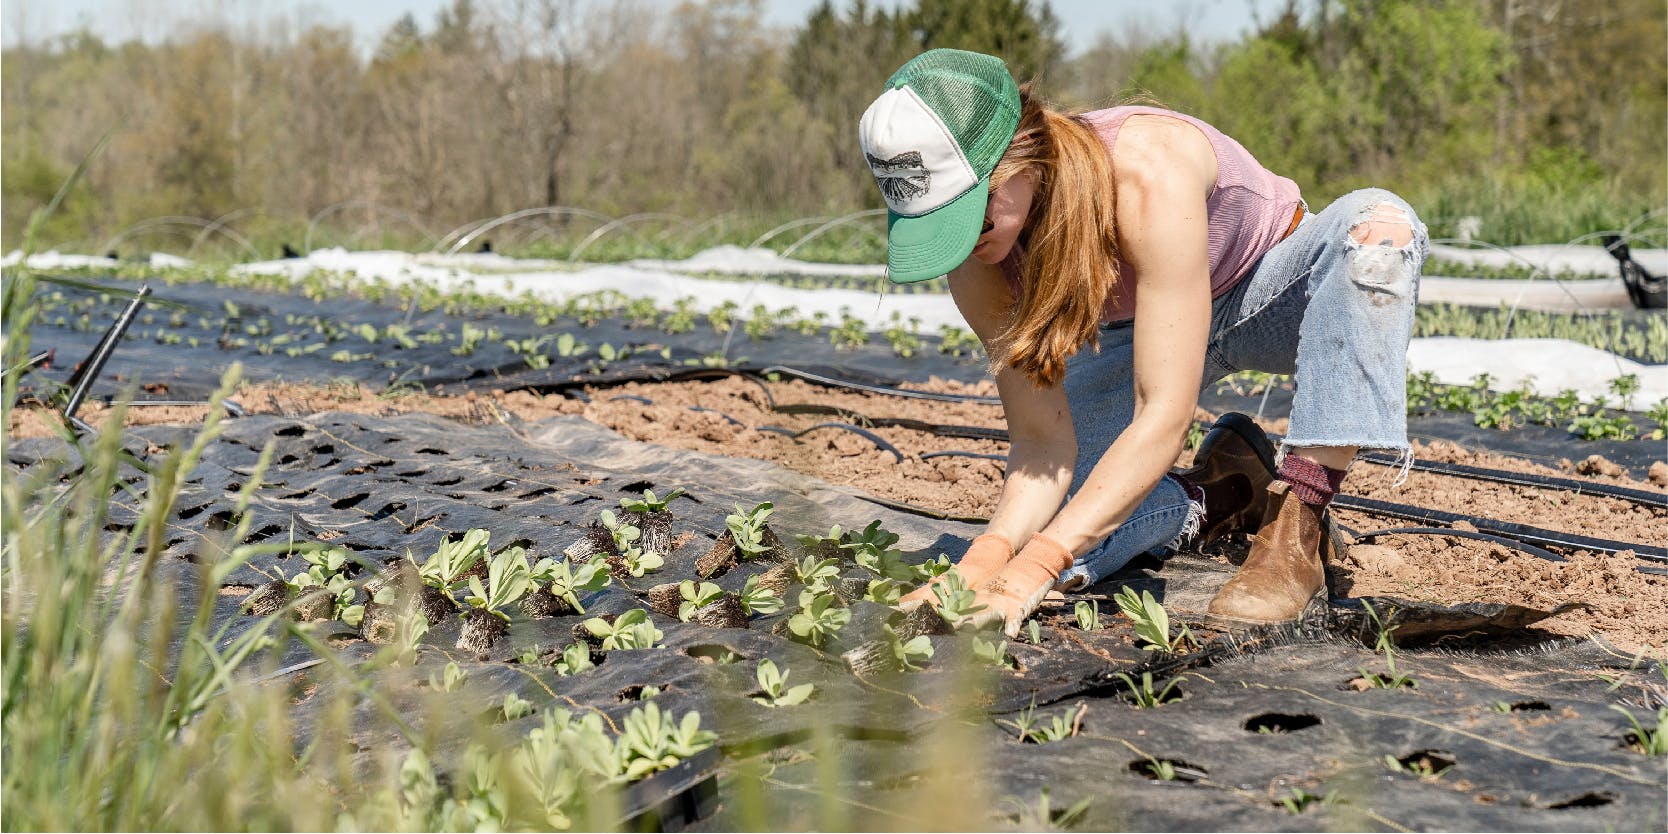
1517 733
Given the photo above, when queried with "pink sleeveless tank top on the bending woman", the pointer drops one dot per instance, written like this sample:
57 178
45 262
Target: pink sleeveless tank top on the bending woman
1248 211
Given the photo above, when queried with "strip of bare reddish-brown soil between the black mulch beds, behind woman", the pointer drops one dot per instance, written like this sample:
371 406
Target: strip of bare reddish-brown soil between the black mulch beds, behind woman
1627 606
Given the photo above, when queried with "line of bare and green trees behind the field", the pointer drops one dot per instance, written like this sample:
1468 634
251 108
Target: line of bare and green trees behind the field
1542 118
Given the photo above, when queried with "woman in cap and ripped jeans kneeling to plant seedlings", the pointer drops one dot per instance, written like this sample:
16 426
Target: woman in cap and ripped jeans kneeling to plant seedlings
1117 263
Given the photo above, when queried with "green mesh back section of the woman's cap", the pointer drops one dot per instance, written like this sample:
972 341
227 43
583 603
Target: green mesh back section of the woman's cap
973 94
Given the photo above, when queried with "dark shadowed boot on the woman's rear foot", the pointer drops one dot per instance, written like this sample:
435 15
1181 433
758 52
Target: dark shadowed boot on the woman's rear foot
1233 466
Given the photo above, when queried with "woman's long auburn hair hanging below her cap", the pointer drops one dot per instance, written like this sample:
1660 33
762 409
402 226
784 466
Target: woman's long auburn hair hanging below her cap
1070 241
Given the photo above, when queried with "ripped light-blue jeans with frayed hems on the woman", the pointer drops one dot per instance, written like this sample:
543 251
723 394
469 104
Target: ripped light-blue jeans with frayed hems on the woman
1332 309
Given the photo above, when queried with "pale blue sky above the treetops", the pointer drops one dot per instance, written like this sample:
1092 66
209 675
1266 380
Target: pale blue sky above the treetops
149 19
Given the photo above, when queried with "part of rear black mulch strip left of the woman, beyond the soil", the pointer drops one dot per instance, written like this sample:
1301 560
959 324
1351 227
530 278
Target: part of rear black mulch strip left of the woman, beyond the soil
168 369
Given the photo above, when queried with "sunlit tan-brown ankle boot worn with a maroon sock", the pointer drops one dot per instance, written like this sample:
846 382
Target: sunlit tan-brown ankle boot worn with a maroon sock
1285 573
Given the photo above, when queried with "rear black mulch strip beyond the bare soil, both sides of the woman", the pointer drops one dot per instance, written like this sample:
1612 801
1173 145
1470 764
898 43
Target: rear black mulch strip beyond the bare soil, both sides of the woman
181 371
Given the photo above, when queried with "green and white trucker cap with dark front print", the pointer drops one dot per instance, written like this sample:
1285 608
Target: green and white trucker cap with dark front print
932 141
